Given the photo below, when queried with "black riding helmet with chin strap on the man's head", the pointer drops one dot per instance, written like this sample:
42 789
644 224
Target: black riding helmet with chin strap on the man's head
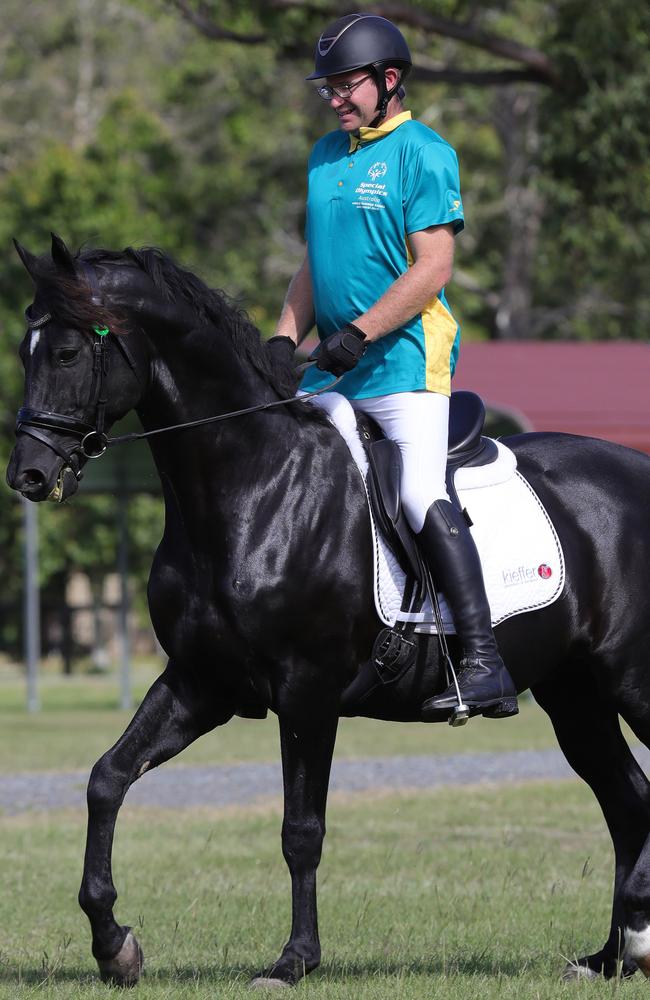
357 41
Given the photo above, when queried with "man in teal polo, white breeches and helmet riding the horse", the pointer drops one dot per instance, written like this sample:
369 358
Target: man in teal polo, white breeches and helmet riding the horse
383 210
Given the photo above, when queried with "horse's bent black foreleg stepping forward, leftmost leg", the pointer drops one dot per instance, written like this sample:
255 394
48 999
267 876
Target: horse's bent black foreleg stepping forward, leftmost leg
175 711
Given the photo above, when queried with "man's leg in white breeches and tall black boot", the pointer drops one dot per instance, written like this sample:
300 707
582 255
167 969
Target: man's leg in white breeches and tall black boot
418 423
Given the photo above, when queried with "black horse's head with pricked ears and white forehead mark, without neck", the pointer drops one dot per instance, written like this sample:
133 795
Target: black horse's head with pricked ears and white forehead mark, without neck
86 365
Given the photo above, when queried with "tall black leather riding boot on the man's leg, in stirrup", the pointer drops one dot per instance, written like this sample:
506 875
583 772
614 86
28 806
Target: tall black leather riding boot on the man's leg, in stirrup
449 550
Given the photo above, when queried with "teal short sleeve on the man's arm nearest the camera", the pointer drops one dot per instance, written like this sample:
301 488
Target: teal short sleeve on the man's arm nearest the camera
432 189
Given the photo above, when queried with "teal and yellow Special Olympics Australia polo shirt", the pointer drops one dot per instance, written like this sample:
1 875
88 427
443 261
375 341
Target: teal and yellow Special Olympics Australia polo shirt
366 194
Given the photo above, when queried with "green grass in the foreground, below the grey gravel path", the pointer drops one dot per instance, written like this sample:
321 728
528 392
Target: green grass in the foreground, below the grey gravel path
450 893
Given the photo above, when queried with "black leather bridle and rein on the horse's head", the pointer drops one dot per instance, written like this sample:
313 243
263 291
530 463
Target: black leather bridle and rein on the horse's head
93 441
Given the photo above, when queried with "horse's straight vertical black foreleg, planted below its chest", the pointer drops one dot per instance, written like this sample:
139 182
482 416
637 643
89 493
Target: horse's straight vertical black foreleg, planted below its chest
307 749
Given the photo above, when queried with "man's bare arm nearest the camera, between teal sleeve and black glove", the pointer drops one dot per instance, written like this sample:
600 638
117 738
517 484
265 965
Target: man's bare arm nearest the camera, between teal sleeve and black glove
433 254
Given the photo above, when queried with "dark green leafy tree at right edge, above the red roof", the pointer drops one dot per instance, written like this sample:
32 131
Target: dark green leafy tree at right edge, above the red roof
596 155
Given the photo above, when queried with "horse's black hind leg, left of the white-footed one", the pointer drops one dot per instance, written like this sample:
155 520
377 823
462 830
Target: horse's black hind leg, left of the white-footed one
590 736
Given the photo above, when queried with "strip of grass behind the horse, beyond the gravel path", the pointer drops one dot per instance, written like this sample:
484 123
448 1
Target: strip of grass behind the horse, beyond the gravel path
79 721
